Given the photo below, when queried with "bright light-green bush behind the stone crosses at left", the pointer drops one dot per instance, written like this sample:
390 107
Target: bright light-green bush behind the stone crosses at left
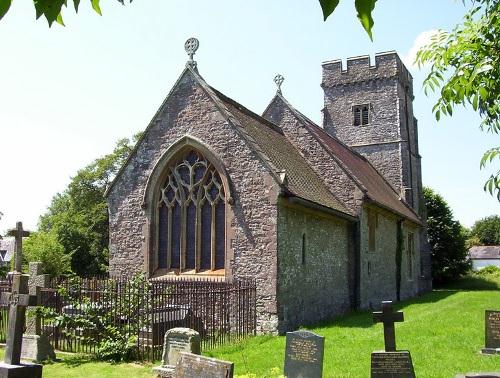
44 247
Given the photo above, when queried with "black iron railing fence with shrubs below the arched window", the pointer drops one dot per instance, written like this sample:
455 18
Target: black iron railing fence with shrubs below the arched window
83 309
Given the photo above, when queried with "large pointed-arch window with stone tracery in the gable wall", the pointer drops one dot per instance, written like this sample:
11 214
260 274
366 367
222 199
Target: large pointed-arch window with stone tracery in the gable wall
191 216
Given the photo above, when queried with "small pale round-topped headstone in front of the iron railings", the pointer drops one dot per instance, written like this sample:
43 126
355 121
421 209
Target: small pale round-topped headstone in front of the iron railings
177 340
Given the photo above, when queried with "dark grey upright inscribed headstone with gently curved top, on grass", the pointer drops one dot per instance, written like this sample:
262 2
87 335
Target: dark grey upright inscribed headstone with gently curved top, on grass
304 354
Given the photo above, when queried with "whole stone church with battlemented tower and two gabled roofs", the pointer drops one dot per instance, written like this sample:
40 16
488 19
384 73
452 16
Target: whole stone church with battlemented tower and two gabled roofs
325 218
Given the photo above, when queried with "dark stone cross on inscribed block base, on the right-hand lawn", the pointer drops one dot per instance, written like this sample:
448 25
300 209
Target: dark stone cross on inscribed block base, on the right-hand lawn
390 362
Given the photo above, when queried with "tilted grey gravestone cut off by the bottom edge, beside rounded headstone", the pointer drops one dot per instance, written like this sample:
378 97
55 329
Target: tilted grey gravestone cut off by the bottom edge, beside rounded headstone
194 366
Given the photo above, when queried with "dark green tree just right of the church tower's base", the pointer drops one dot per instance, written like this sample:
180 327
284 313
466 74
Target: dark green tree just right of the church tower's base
446 238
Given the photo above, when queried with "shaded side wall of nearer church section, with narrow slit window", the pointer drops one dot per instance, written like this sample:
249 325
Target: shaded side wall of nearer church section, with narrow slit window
313 277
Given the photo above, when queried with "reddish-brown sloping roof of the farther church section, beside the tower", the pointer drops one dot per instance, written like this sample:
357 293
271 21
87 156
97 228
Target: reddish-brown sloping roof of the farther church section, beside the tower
374 185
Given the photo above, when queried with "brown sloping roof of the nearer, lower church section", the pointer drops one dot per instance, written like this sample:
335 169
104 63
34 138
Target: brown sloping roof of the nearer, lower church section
301 180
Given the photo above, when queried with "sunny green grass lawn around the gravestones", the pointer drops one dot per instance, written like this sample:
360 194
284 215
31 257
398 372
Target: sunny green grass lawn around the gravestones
444 330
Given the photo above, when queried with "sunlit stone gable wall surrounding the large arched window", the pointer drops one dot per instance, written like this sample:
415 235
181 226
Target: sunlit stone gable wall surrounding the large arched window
251 229
